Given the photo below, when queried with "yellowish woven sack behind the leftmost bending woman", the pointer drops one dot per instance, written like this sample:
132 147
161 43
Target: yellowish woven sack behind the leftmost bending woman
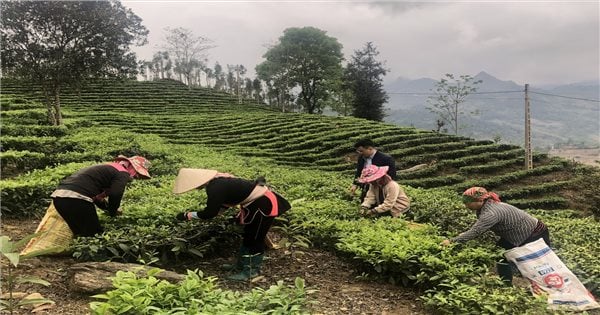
54 237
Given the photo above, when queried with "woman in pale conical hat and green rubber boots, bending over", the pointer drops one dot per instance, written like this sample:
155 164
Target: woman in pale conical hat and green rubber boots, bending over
258 208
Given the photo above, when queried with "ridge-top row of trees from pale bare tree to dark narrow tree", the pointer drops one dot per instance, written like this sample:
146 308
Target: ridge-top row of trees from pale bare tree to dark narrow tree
302 72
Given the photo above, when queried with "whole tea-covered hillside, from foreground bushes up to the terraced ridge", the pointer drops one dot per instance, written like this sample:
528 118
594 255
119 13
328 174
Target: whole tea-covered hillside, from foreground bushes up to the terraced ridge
328 253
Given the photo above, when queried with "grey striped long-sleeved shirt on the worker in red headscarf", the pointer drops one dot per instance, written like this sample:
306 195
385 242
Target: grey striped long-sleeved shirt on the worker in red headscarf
510 223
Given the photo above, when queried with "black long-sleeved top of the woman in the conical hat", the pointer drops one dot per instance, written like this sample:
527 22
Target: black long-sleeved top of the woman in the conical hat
224 192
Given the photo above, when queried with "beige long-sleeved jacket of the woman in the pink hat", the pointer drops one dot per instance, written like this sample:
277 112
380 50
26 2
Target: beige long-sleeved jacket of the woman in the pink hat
395 200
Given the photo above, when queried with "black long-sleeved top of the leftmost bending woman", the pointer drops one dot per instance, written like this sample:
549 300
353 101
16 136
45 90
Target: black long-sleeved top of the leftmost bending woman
99 179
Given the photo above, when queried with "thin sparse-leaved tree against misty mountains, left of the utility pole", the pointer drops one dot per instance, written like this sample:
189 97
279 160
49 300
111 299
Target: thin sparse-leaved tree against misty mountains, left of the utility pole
450 93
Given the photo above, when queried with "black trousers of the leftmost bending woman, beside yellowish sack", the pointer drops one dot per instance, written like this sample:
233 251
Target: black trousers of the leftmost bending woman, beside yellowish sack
80 215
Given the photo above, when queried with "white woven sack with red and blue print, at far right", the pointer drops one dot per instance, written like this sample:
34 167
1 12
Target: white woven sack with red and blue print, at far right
548 274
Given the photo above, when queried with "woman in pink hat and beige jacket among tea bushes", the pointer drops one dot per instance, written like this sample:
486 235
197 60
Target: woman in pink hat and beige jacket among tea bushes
384 194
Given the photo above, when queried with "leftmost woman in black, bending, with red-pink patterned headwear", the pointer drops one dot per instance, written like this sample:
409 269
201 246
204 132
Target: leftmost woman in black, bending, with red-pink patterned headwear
102 185
